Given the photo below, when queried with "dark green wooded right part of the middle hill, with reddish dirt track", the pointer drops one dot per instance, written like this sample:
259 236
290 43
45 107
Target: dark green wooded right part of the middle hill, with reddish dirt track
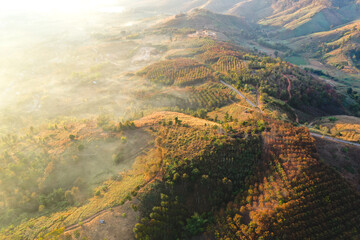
271 78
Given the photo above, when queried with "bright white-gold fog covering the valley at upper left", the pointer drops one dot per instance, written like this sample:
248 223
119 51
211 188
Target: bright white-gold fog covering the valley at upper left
68 58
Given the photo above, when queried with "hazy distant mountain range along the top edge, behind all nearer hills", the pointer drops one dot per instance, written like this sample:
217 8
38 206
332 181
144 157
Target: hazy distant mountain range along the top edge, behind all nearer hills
293 18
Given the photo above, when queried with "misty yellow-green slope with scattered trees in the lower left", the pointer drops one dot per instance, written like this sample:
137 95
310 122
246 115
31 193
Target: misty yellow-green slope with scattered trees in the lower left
57 168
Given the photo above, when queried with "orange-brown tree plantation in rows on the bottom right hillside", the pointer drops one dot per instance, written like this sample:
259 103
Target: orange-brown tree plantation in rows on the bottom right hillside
295 197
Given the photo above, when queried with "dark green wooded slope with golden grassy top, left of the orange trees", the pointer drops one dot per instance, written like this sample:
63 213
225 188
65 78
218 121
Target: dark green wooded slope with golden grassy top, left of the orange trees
203 169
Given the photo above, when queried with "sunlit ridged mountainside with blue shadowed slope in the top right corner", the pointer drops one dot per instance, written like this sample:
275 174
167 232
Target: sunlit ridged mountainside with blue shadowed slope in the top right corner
309 16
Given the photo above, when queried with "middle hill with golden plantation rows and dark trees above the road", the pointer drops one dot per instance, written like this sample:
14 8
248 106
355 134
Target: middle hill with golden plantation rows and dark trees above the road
272 78
